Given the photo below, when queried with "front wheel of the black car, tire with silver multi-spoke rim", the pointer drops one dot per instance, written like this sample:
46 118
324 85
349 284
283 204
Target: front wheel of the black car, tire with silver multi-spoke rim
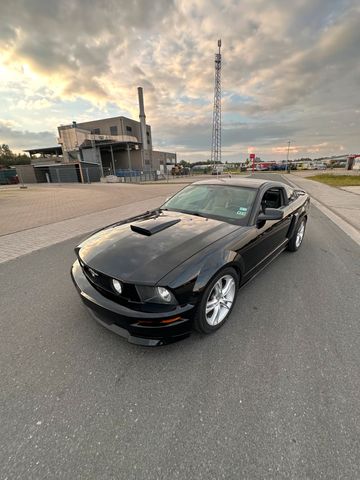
217 301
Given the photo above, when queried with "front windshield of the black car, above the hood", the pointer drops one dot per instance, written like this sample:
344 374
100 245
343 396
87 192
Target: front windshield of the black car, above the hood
224 202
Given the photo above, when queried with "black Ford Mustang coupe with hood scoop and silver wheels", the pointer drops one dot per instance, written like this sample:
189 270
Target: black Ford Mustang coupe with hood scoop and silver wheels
155 277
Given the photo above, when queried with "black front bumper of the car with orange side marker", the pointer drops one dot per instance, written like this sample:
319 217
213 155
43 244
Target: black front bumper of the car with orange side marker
137 327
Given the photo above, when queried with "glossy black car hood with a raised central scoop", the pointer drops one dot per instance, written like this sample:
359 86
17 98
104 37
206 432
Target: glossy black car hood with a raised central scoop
145 250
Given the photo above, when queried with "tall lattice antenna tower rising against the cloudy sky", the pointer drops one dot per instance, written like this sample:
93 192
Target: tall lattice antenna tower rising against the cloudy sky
216 132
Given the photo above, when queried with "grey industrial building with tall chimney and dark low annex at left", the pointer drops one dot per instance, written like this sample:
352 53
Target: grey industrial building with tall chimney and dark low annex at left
112 146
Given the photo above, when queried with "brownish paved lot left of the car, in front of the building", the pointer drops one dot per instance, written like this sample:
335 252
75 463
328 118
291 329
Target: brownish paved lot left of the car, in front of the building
42 204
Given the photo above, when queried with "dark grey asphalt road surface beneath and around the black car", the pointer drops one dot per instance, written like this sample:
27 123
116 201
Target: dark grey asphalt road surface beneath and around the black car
274 394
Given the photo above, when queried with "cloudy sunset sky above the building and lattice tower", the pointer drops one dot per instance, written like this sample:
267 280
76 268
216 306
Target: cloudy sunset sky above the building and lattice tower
290 71
